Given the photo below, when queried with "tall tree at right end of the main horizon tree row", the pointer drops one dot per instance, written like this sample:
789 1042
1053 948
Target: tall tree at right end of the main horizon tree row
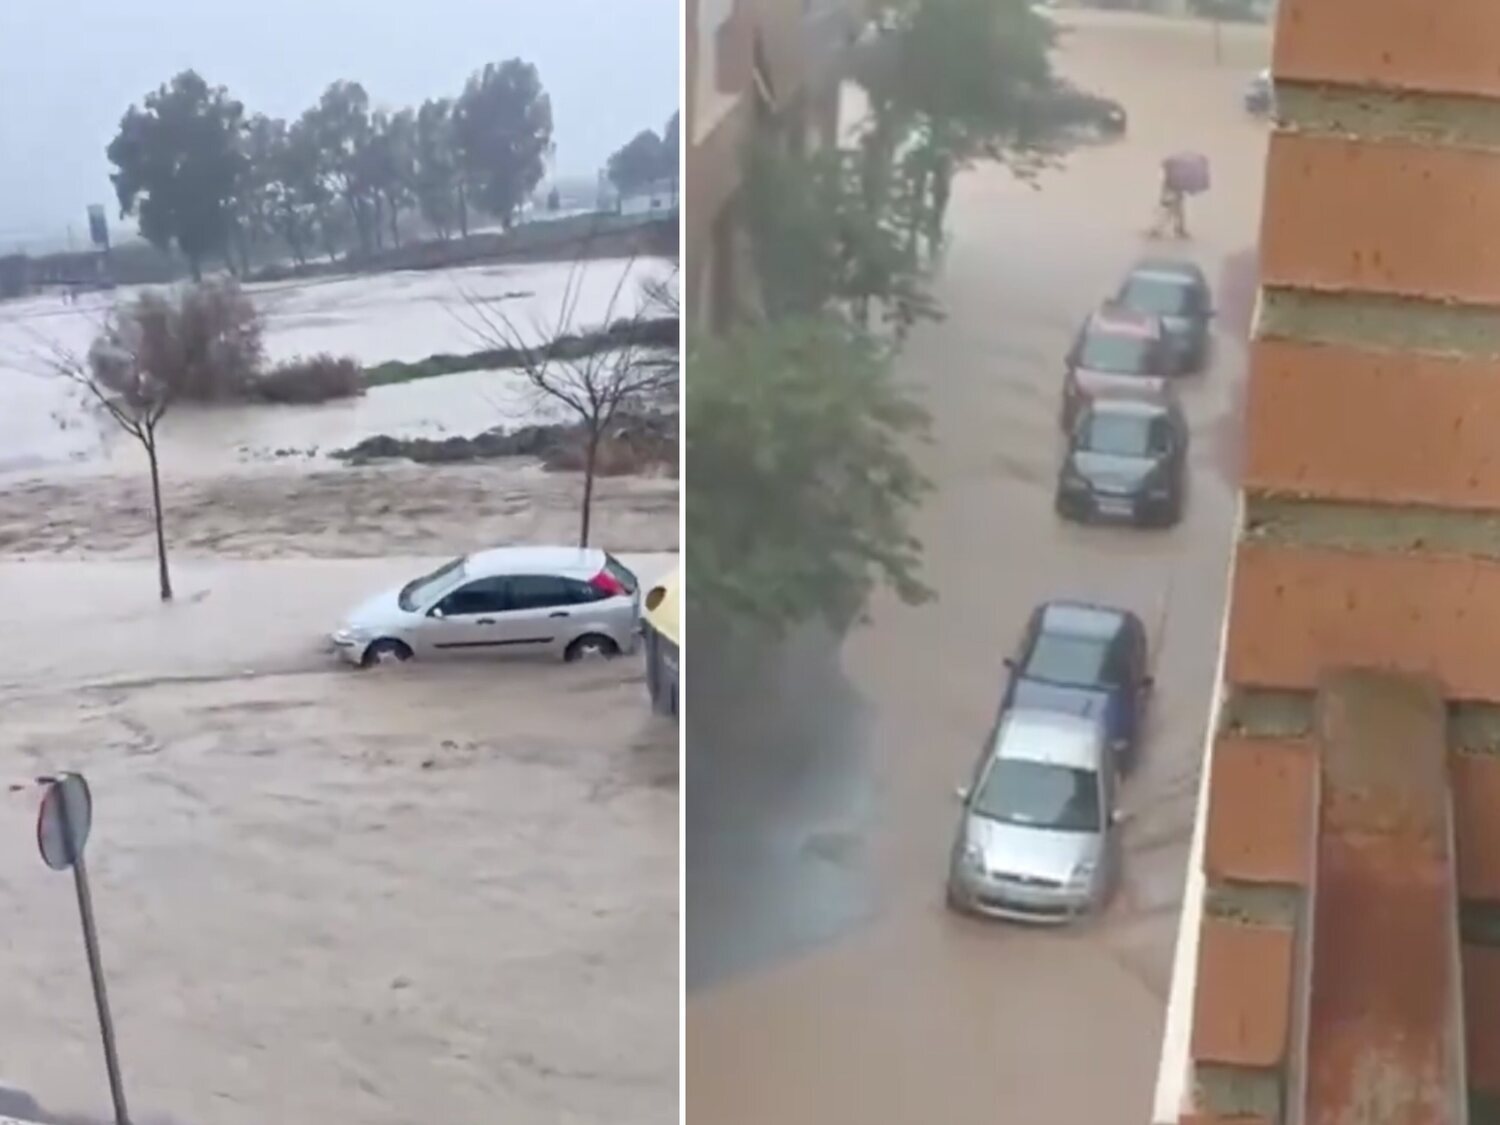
505 134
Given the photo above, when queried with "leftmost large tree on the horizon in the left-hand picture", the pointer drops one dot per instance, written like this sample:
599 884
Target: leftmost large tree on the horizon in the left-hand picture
179 166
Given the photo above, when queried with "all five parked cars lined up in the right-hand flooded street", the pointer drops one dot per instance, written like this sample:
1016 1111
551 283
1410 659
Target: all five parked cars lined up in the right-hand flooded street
1040 833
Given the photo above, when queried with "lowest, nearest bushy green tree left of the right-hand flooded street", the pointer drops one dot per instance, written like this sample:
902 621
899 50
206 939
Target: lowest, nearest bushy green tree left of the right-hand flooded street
797 448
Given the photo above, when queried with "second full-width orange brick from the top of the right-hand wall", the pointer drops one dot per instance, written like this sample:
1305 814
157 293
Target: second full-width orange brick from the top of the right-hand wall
1382 217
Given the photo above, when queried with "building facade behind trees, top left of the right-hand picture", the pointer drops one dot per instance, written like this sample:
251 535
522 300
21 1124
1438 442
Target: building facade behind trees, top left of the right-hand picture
751 65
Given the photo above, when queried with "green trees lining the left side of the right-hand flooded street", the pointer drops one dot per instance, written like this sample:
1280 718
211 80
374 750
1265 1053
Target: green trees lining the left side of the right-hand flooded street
799 434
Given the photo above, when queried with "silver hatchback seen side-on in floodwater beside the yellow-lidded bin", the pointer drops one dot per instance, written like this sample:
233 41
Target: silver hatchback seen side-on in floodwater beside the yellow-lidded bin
563 602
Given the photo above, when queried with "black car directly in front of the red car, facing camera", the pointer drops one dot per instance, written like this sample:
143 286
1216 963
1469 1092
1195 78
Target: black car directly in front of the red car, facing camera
1127 461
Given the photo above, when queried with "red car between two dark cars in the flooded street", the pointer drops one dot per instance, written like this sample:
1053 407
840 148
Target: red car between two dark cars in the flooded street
1118 353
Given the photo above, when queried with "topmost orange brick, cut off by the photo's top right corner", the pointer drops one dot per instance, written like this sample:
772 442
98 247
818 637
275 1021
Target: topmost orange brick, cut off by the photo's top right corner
1445 47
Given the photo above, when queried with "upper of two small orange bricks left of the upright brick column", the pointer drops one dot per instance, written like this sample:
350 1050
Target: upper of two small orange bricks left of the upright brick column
1261 811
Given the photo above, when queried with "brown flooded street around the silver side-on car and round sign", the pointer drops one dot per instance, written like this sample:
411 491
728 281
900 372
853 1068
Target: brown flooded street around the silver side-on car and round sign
424 893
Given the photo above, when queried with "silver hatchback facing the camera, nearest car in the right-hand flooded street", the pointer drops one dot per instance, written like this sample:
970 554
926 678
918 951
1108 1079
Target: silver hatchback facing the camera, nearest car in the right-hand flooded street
1039 838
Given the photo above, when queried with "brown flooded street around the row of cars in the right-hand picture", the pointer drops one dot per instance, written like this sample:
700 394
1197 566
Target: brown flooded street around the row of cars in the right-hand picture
829 983
